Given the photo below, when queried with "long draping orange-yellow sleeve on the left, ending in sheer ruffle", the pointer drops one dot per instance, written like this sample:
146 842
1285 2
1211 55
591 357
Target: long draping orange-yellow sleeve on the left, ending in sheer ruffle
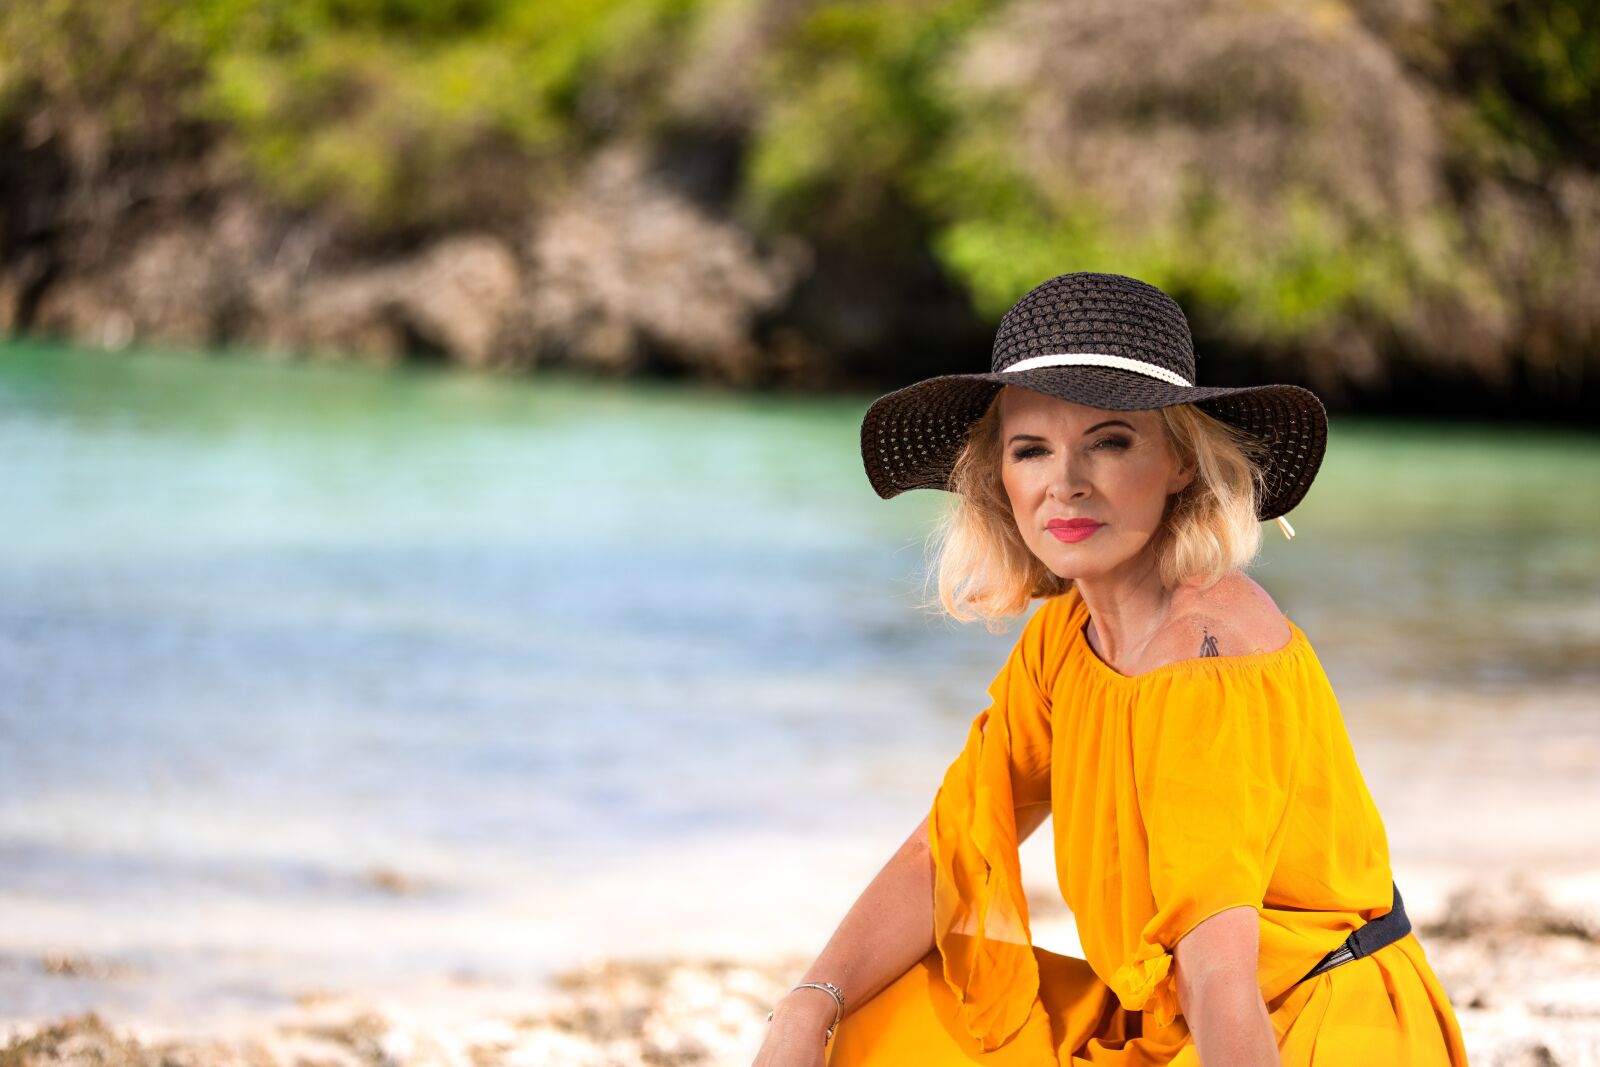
978 906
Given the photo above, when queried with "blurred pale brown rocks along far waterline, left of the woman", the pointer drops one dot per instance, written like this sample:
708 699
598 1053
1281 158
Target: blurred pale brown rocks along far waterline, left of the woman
601 279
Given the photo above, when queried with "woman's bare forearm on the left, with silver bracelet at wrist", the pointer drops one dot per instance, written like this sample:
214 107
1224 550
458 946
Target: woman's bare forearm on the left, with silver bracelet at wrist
884 933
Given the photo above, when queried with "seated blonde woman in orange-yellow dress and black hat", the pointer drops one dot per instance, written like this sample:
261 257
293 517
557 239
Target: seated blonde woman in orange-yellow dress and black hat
1215 841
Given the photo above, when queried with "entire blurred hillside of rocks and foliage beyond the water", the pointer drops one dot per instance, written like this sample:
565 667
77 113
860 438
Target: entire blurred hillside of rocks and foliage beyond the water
1393 204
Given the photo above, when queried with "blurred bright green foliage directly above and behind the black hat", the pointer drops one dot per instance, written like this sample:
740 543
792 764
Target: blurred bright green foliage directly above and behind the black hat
865 122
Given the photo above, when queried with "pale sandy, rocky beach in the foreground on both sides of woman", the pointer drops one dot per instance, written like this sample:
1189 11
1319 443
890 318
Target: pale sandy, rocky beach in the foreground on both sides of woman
1522 969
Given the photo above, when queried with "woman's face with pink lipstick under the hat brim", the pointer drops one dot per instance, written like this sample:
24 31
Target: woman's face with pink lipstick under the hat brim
1065 462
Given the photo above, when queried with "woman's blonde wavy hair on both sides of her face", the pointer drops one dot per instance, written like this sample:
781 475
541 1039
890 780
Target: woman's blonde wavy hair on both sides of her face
986 572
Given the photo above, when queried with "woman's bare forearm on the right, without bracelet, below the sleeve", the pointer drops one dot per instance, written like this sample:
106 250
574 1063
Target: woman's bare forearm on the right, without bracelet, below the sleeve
1217 988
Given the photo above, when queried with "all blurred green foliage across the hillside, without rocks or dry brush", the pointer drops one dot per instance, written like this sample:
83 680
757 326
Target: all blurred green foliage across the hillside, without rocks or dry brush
406 114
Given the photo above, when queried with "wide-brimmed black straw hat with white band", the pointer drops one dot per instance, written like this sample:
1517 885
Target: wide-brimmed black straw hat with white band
1100 340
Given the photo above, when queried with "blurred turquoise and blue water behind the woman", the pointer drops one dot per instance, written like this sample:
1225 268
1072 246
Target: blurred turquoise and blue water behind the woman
266 628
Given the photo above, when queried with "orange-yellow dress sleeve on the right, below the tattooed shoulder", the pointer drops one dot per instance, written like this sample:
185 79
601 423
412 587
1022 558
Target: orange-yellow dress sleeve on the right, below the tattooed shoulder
1217 749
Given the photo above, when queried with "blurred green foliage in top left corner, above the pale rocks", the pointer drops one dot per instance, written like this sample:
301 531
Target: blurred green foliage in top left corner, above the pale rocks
378 110
